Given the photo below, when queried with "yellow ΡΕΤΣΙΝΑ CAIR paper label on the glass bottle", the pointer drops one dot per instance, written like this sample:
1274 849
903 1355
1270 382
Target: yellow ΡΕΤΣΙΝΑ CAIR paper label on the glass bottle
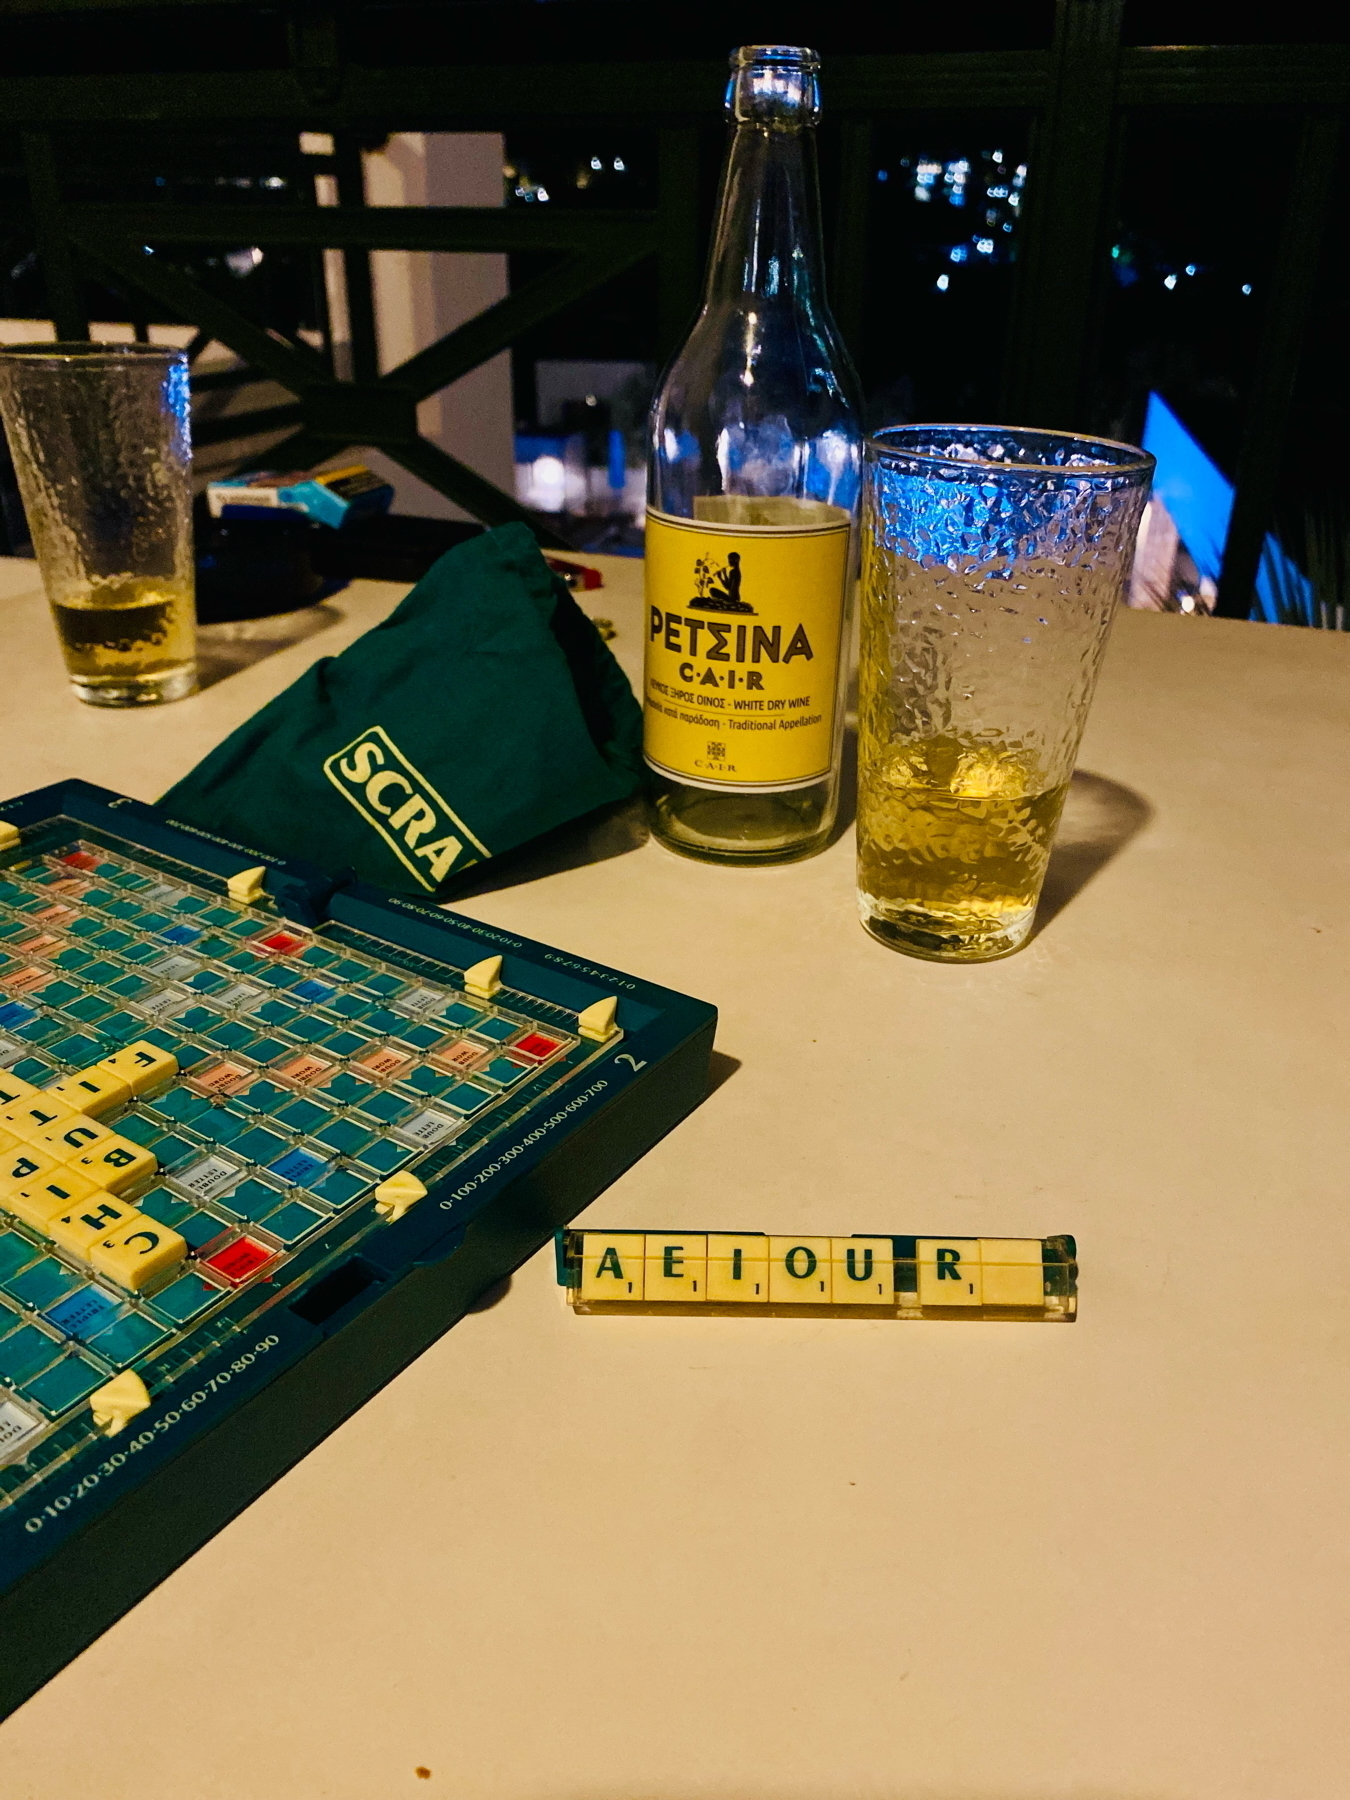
744 622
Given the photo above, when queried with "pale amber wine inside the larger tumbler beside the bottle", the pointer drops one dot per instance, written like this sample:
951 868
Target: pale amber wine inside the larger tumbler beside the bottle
953 847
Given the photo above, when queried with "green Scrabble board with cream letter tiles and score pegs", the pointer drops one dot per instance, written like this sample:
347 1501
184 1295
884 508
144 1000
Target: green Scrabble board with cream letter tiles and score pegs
256 1156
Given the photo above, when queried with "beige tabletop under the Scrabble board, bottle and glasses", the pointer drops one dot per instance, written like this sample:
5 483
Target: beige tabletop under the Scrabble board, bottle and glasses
656 1560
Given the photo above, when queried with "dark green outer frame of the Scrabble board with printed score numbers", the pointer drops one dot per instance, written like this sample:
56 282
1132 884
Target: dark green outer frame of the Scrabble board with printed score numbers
111 1518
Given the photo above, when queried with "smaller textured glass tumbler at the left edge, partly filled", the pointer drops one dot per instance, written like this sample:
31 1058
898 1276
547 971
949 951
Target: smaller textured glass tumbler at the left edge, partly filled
100 435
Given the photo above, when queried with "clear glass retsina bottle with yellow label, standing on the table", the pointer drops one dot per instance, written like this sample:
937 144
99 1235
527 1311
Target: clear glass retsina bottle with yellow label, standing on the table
753 487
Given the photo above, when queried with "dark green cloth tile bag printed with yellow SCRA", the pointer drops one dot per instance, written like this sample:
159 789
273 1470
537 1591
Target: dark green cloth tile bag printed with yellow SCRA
481 714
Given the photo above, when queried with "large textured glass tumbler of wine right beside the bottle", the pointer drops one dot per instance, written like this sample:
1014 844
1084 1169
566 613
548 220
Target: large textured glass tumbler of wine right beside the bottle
993 562
